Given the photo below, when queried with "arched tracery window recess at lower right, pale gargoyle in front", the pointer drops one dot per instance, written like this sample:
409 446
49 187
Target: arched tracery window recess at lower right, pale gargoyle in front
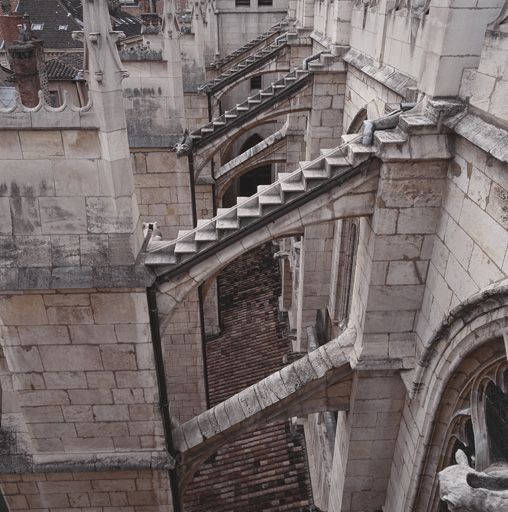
469 428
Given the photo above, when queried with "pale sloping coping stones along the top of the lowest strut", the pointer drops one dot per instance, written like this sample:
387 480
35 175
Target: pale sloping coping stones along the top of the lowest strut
269 397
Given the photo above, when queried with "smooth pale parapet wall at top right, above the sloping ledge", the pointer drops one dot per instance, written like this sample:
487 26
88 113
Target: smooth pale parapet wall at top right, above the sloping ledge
422 45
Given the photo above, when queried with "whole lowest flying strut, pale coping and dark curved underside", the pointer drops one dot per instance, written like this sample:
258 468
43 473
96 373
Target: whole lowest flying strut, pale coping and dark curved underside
320 380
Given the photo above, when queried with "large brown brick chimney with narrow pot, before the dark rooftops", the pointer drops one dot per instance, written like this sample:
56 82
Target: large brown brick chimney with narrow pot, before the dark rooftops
26 58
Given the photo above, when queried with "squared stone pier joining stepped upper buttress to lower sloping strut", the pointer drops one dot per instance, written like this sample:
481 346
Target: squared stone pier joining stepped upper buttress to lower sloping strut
395 249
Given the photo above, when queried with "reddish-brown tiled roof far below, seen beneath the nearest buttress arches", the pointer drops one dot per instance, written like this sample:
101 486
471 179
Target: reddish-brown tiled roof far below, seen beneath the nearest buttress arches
264 470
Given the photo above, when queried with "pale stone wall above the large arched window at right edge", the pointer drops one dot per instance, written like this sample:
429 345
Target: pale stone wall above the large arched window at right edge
471 242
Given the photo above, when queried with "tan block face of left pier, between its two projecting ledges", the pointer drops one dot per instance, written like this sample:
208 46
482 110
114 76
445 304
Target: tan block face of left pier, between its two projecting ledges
82 365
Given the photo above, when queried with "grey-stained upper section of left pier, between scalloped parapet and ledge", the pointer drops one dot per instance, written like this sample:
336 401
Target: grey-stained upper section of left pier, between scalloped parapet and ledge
60 218
